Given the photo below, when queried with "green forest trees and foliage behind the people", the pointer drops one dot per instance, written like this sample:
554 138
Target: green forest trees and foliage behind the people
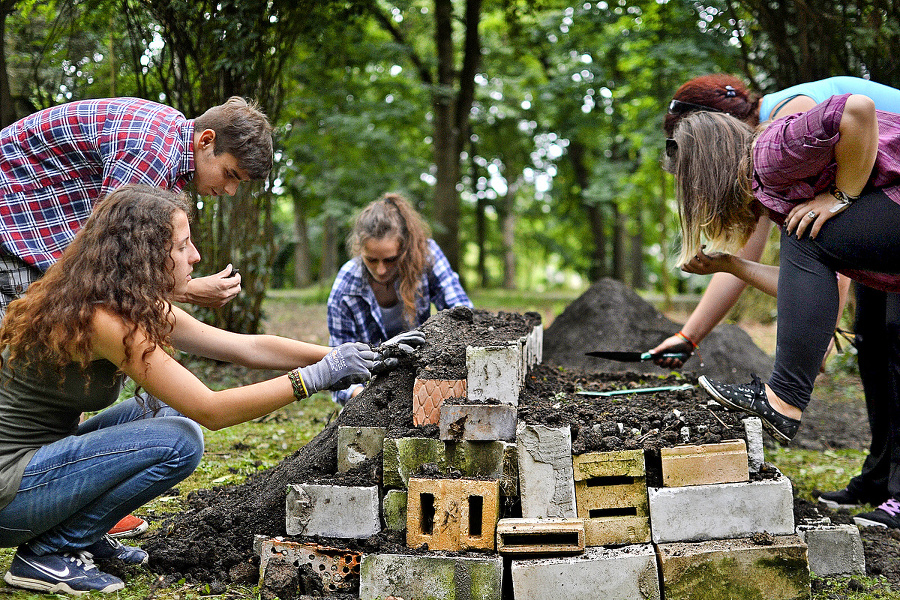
527 131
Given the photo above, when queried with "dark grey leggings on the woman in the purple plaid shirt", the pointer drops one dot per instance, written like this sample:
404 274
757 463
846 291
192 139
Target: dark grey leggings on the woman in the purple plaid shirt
865 236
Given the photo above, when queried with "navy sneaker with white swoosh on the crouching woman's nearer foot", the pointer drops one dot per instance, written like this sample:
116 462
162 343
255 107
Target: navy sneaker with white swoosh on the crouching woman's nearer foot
69 573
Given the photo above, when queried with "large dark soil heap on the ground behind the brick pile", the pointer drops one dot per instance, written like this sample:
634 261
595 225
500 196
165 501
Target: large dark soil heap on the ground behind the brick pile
611 316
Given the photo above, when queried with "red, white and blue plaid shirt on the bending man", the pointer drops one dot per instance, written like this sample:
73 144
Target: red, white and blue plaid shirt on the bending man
57 163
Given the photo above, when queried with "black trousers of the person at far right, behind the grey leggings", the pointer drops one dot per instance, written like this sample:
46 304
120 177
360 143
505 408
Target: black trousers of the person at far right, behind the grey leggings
878 344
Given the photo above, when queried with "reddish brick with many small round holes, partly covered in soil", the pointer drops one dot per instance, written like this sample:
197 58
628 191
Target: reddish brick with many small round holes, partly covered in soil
338 568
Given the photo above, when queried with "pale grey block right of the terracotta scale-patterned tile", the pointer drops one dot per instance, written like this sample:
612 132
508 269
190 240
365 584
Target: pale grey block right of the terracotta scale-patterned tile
494 372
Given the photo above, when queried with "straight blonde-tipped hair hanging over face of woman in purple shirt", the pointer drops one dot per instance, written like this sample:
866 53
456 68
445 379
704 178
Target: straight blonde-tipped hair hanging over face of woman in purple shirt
712 168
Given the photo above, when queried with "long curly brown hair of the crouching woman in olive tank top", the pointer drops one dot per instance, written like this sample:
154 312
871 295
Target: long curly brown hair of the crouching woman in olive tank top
120 260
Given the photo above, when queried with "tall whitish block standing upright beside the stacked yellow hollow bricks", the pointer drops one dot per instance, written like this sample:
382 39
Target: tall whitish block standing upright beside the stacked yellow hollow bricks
546 479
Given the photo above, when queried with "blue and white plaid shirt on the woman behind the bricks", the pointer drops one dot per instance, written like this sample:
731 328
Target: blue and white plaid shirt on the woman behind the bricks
354 314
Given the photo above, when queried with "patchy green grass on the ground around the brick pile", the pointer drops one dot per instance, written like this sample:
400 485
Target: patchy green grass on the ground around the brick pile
234 453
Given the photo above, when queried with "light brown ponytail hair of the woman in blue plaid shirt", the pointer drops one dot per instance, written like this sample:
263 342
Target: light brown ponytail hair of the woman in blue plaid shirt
392 216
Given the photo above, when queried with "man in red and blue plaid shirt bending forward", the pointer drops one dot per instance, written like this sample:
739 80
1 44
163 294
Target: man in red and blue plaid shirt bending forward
57 163
